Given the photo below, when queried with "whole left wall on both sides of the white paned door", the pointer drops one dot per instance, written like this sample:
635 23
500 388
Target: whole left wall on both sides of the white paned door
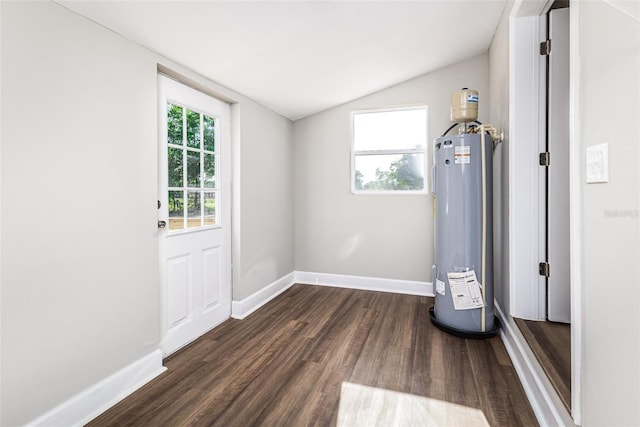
80 294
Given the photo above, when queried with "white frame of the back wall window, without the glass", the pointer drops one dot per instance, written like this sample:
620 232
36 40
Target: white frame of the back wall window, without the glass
354 153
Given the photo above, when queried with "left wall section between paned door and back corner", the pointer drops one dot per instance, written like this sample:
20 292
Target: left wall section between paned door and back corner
265 193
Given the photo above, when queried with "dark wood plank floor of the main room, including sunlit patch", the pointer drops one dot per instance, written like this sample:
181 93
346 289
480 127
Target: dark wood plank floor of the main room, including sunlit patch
329 356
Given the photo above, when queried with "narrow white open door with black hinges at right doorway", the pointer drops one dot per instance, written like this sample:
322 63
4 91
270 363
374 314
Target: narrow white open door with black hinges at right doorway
559 281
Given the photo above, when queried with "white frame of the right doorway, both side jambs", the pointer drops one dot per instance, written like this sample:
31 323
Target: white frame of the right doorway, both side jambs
524 110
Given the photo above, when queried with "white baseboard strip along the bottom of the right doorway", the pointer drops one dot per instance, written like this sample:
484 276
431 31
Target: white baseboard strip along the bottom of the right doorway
544 401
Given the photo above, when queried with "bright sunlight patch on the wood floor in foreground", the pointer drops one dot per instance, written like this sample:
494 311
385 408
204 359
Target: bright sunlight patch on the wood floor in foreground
369 406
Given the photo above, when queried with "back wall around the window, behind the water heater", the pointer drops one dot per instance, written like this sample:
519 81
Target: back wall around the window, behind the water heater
388 236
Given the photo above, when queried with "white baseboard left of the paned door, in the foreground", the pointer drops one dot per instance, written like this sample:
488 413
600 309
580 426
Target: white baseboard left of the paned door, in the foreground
88 404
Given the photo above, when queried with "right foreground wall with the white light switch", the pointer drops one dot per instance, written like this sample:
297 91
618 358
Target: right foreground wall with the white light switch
609 111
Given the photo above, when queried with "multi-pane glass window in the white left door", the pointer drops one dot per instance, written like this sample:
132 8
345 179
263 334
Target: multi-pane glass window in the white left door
191 145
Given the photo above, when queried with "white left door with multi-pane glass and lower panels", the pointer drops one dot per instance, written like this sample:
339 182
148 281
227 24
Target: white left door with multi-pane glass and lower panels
194 213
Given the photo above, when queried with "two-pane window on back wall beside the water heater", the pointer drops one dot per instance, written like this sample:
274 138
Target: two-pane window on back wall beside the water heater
388 151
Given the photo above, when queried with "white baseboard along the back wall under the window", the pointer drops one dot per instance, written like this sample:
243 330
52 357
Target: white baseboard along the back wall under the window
365 283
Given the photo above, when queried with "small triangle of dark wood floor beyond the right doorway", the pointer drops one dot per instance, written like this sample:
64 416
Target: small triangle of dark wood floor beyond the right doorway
550 342
